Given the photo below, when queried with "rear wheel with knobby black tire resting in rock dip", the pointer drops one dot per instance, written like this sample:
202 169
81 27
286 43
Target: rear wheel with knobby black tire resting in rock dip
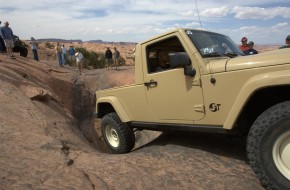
118 136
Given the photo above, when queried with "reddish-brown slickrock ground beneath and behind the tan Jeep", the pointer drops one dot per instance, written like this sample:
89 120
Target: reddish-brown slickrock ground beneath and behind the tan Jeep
50 140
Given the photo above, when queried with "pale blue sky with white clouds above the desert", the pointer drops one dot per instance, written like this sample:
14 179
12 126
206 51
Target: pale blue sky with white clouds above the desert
261 21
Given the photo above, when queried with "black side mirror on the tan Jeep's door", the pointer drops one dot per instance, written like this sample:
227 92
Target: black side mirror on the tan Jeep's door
181 59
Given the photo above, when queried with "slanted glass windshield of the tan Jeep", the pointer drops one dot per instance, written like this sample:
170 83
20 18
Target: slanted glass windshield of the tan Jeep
211 44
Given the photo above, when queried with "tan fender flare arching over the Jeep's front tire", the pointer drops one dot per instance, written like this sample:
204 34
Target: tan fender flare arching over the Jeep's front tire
253 84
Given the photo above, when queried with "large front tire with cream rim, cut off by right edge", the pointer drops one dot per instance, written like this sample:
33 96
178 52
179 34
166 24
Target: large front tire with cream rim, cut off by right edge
268 147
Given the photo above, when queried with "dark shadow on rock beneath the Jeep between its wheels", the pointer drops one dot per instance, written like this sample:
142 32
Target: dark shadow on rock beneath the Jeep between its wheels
218 144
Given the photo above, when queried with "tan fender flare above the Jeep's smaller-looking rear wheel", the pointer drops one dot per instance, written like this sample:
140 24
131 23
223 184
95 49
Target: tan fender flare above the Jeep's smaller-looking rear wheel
116 104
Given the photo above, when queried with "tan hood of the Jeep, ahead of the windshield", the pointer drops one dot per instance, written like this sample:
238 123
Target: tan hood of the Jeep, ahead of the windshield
275 57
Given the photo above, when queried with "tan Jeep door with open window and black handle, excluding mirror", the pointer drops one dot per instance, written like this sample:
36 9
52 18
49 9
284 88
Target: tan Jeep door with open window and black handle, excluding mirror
170 93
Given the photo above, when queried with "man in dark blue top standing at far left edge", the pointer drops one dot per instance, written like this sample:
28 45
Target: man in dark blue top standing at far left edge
7 35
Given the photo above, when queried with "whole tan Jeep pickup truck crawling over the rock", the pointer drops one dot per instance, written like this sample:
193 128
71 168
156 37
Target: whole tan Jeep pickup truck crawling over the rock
203 82
